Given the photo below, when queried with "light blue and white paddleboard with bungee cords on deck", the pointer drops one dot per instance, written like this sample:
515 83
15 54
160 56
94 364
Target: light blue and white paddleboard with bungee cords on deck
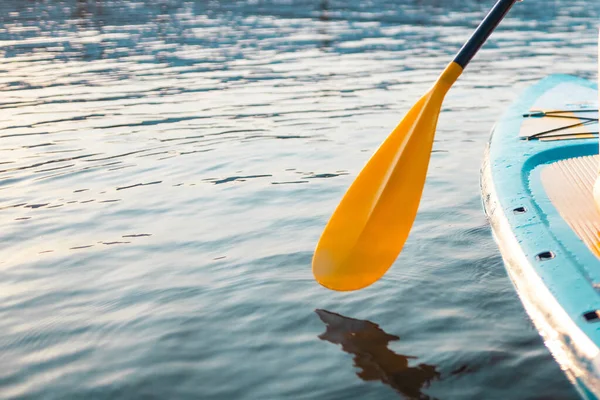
537 180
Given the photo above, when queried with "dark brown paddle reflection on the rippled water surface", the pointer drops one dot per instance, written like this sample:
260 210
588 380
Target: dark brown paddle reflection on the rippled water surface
369 344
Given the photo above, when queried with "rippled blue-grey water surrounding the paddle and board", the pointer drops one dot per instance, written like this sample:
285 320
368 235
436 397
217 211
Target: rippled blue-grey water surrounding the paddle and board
166 168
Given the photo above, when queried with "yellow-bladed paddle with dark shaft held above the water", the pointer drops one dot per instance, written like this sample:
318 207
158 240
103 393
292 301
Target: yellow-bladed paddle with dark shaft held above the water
370 225
